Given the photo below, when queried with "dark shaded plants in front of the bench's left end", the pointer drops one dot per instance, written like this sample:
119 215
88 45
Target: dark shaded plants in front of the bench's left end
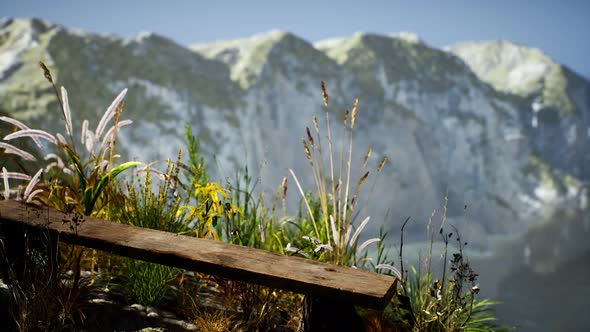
42 294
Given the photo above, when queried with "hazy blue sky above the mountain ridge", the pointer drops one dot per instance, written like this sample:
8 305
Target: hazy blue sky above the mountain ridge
560 28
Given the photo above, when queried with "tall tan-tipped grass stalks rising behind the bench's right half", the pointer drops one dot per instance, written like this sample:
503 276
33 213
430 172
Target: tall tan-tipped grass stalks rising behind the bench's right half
334 233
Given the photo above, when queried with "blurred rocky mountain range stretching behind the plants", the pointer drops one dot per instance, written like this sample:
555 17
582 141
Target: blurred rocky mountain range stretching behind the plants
503 134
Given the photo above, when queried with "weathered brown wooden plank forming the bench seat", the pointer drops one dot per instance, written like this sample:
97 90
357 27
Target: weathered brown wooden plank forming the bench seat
295 274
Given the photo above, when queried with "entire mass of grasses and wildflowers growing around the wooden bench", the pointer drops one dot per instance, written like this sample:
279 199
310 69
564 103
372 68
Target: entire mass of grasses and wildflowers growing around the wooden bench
82 179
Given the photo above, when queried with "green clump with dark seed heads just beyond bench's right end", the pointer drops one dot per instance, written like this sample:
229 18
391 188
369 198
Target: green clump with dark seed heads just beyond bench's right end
448 303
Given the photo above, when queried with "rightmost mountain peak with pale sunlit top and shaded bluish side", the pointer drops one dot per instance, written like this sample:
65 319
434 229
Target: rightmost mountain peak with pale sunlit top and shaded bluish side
558 111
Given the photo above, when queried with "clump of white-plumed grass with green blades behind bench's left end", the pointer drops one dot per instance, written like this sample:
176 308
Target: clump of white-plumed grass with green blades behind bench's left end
80 183
